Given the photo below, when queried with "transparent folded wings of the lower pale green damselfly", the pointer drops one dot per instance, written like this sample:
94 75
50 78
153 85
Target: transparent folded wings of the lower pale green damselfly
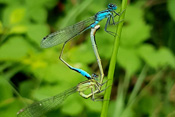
40 108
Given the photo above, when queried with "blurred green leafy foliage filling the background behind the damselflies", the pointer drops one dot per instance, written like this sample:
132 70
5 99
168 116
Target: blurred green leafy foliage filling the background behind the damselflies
144 79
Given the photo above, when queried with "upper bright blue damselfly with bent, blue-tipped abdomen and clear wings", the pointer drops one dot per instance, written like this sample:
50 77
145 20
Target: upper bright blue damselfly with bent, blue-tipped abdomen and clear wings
64 35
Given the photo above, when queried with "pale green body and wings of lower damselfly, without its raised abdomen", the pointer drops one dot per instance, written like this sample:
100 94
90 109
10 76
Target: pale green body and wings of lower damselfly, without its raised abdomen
40 108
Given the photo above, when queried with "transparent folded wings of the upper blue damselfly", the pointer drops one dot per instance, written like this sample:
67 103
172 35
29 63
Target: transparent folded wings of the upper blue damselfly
67 33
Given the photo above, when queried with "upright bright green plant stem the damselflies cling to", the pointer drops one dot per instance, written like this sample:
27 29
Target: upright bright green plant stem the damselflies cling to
113 61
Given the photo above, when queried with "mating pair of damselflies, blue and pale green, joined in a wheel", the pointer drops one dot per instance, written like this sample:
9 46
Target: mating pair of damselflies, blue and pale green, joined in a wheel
63 36
